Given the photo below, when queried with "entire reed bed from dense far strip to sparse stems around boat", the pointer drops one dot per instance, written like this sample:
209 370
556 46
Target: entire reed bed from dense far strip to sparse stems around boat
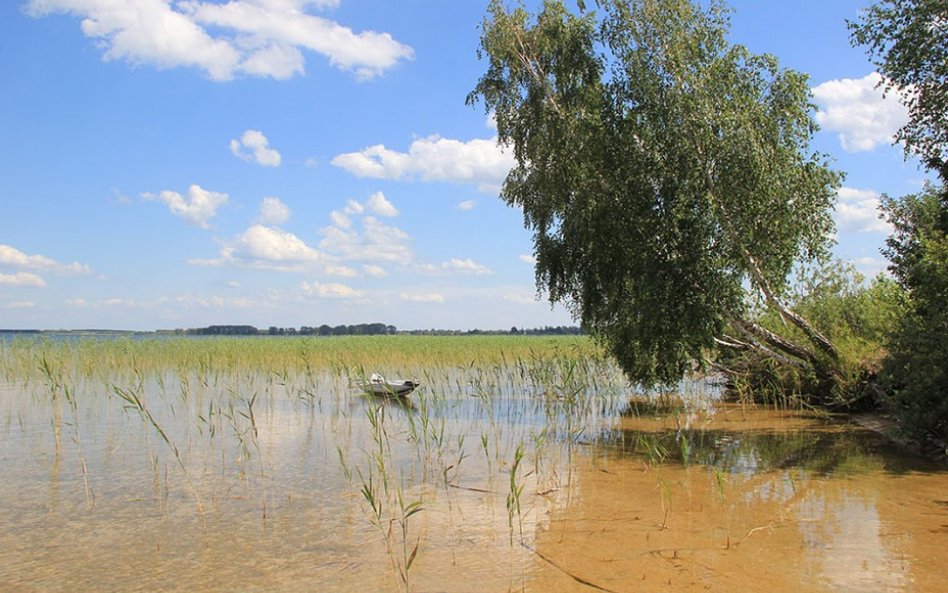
201 423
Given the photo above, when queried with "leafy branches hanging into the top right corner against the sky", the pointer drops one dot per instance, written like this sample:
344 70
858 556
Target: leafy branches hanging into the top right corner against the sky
908 42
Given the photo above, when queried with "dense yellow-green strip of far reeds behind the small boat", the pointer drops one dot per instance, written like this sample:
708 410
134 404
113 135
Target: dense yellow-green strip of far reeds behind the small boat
97 356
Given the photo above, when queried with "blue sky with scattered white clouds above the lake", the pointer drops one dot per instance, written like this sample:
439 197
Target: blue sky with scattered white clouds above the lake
182 163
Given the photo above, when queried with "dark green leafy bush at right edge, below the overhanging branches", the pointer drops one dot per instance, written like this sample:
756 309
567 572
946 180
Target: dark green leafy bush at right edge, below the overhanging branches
917 369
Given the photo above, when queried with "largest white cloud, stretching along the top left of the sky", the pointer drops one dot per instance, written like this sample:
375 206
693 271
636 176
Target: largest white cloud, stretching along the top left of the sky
254 37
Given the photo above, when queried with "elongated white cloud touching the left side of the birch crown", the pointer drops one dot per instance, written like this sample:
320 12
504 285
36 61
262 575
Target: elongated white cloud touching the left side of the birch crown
478 161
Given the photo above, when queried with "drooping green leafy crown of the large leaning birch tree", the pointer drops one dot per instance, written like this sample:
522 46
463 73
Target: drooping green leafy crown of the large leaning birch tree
662 170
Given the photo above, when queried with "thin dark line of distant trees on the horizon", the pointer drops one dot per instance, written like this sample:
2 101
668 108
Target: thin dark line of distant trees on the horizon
368 329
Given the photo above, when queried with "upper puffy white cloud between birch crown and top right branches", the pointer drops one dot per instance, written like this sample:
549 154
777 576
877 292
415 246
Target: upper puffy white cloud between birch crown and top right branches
857 110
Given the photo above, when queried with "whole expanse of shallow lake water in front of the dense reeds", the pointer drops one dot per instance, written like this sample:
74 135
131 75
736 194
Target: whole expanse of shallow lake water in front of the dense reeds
257 483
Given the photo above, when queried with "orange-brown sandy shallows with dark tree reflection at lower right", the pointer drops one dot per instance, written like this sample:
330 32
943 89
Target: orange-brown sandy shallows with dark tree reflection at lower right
748 499
